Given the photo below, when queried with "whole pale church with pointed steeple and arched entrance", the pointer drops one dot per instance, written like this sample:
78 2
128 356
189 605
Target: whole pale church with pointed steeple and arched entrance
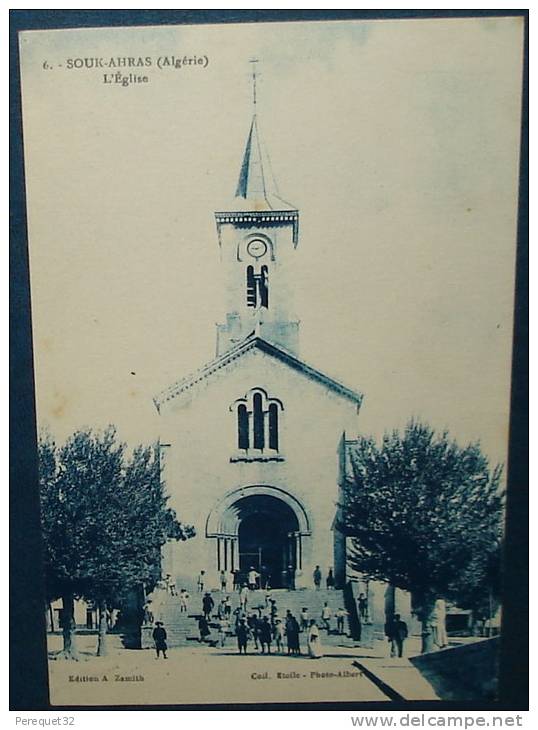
254 441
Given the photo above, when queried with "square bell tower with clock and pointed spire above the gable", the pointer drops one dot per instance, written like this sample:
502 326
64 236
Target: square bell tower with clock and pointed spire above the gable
258 233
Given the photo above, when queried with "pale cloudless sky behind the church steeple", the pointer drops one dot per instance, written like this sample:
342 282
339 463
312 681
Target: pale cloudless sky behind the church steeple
396 140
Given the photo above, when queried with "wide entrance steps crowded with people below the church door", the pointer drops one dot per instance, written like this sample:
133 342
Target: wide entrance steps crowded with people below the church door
182 627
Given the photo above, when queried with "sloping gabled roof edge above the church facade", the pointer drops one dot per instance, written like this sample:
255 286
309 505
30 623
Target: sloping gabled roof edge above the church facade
250 343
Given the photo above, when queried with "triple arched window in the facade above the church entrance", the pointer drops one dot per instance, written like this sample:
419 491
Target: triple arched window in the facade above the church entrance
258 418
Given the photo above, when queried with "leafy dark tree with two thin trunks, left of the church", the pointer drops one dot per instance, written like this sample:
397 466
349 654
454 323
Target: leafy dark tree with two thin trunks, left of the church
105 519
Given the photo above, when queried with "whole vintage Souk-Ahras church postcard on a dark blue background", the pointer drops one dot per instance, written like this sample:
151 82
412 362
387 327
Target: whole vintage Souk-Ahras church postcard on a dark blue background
272 282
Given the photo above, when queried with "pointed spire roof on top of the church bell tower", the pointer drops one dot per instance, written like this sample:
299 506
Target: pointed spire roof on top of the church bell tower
256 188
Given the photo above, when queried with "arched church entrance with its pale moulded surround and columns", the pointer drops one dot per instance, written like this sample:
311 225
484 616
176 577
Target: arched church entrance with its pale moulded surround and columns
260 527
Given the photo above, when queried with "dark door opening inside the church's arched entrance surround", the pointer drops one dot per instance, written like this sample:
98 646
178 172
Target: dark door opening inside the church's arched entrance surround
267 538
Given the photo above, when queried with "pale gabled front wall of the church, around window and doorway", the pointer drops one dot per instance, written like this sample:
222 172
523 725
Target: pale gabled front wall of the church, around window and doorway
202 464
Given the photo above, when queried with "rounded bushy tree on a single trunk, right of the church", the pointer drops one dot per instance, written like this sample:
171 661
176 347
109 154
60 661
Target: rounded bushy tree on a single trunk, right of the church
424 515
